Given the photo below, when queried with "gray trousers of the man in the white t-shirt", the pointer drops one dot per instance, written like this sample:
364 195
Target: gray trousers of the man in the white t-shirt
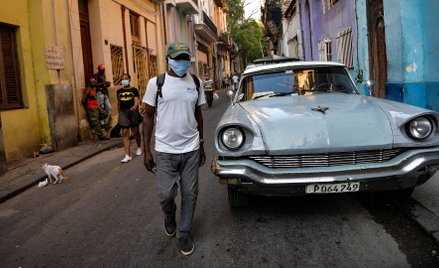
174 169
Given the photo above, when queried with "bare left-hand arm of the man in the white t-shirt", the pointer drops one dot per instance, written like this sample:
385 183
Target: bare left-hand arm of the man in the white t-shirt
148 125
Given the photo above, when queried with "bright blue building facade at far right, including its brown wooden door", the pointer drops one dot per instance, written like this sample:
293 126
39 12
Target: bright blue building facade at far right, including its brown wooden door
408 50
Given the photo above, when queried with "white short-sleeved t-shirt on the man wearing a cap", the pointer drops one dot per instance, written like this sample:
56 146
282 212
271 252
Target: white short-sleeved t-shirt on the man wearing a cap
176 128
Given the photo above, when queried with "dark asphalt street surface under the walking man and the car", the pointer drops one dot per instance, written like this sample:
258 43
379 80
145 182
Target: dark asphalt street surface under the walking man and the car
108 215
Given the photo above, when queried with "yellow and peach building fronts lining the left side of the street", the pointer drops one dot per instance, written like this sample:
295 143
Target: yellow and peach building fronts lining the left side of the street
51 48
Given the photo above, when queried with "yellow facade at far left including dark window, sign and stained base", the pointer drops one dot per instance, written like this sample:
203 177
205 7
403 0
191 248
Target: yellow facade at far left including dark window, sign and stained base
37 102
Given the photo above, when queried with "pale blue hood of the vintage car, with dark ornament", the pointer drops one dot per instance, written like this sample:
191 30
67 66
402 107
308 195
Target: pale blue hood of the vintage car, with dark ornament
345 122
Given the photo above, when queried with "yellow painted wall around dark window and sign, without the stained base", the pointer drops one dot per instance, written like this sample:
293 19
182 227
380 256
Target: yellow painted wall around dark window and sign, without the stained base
25 129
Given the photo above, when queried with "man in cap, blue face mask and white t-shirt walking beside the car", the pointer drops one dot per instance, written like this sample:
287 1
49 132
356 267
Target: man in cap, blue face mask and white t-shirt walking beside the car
174 100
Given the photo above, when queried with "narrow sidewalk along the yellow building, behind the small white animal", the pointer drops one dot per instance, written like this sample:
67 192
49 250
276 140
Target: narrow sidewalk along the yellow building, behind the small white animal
27 173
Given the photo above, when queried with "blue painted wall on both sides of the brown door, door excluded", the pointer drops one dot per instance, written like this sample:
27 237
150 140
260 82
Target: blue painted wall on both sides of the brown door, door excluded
412 45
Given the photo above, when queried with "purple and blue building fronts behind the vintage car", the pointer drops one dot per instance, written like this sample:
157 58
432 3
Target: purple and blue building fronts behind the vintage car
391 42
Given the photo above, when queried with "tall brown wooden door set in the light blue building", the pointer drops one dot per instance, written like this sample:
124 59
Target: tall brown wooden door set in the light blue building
377 46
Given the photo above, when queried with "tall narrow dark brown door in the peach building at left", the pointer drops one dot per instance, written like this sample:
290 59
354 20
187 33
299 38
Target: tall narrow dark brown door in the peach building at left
87 56
